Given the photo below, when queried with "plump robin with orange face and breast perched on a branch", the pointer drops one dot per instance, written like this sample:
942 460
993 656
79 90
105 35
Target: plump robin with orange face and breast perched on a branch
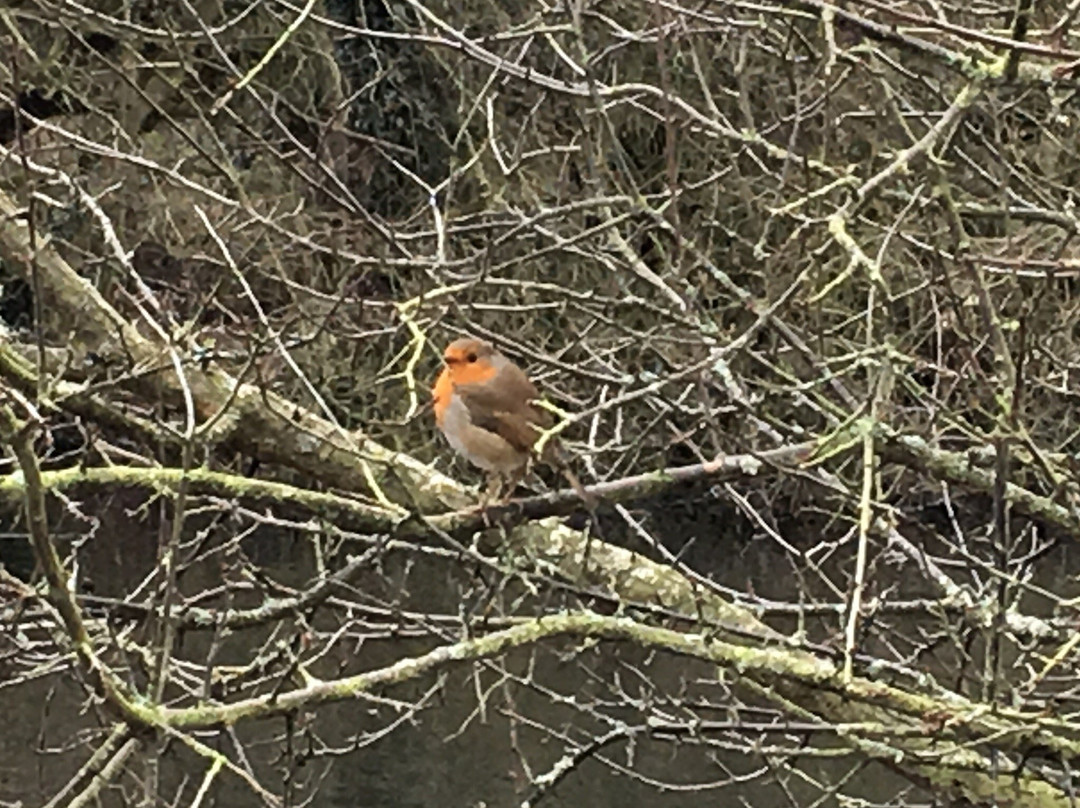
484 406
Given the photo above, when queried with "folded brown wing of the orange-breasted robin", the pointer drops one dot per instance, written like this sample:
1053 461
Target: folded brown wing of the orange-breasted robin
502 406
